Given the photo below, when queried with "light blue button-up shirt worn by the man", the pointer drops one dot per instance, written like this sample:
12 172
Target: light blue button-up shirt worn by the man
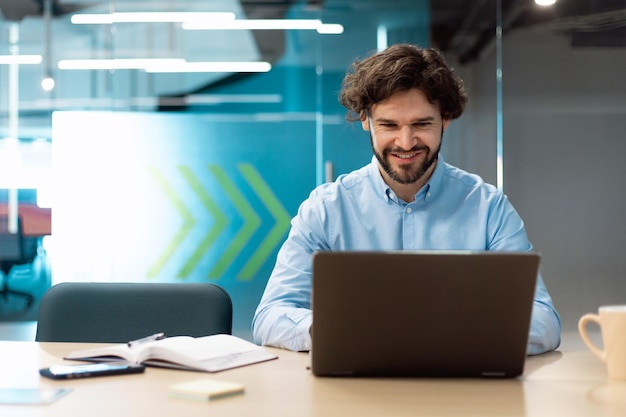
455 210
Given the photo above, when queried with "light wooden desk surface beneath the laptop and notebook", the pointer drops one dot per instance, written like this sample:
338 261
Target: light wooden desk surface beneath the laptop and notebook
555 384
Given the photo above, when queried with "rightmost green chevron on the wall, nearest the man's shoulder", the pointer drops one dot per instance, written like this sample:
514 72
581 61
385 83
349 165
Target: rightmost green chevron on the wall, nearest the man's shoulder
278 212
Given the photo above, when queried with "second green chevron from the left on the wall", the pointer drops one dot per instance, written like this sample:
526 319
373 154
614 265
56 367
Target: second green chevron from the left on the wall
220 222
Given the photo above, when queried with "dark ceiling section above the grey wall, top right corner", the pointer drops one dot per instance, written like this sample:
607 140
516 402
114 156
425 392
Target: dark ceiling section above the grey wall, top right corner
466 27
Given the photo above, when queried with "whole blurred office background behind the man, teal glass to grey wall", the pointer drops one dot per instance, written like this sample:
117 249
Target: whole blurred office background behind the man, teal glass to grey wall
177 147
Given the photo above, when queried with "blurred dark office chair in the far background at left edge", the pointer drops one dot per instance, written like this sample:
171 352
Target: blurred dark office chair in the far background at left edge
15 250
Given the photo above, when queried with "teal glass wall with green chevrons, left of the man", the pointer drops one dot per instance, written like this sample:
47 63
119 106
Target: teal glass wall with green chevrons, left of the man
174 140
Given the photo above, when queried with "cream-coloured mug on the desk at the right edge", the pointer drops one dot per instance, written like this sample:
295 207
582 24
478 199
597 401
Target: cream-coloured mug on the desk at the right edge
612 322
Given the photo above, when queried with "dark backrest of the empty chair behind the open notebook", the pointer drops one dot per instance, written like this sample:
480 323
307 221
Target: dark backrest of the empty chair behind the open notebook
120 312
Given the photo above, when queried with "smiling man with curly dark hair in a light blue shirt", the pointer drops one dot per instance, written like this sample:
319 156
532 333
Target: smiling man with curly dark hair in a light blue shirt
408 197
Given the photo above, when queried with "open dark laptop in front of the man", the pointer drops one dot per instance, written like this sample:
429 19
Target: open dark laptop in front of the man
428 314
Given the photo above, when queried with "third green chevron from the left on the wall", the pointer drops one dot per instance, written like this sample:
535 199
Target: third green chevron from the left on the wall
251 222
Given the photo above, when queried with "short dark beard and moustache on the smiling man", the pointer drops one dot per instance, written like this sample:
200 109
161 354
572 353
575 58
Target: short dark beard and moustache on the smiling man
407 173
